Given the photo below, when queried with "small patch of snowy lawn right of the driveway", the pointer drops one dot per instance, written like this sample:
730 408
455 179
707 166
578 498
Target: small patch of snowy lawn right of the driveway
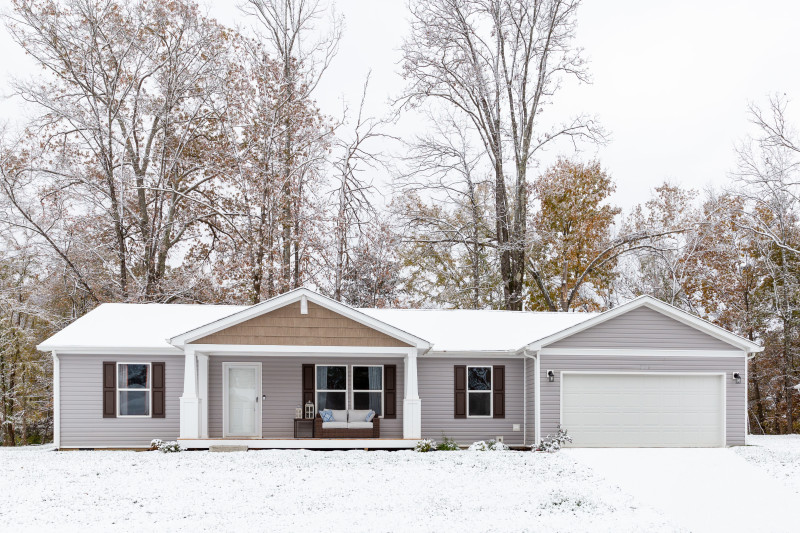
778 455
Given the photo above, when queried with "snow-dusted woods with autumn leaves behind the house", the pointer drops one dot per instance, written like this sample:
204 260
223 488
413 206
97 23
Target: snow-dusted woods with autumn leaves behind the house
171 159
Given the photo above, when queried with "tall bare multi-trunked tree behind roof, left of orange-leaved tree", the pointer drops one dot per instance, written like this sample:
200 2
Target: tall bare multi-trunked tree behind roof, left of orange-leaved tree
499 63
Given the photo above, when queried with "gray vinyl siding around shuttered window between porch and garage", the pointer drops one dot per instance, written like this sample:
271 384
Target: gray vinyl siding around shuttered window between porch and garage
435 376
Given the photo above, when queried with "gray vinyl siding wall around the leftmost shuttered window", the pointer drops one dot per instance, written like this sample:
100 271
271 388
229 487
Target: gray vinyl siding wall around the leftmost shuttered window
81 398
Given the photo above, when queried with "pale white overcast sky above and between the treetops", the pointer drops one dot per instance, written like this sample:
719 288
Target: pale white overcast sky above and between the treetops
671 80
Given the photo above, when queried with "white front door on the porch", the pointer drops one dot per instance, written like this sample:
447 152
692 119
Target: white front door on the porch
241 399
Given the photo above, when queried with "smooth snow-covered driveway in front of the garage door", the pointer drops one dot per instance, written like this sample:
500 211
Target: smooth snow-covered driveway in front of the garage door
703 489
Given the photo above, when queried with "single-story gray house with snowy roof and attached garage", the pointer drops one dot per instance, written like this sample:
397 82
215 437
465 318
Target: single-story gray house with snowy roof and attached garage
644 374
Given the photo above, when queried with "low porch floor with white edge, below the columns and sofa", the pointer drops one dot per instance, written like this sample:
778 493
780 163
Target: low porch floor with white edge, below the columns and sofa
306 444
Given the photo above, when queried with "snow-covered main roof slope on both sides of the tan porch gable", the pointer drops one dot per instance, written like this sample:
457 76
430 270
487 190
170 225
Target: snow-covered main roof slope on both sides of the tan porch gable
148 326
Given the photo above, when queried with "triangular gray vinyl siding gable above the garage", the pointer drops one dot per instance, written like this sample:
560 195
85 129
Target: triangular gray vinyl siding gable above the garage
642 328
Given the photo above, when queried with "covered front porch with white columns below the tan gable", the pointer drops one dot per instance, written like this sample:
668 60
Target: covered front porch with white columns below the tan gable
285 381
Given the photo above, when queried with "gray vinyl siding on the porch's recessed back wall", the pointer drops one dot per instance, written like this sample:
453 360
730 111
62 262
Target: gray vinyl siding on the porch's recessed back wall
281 382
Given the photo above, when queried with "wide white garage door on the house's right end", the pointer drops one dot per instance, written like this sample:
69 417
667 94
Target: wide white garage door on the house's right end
643 410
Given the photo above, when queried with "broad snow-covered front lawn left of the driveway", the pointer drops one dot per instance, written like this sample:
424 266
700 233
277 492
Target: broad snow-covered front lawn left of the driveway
278 490
